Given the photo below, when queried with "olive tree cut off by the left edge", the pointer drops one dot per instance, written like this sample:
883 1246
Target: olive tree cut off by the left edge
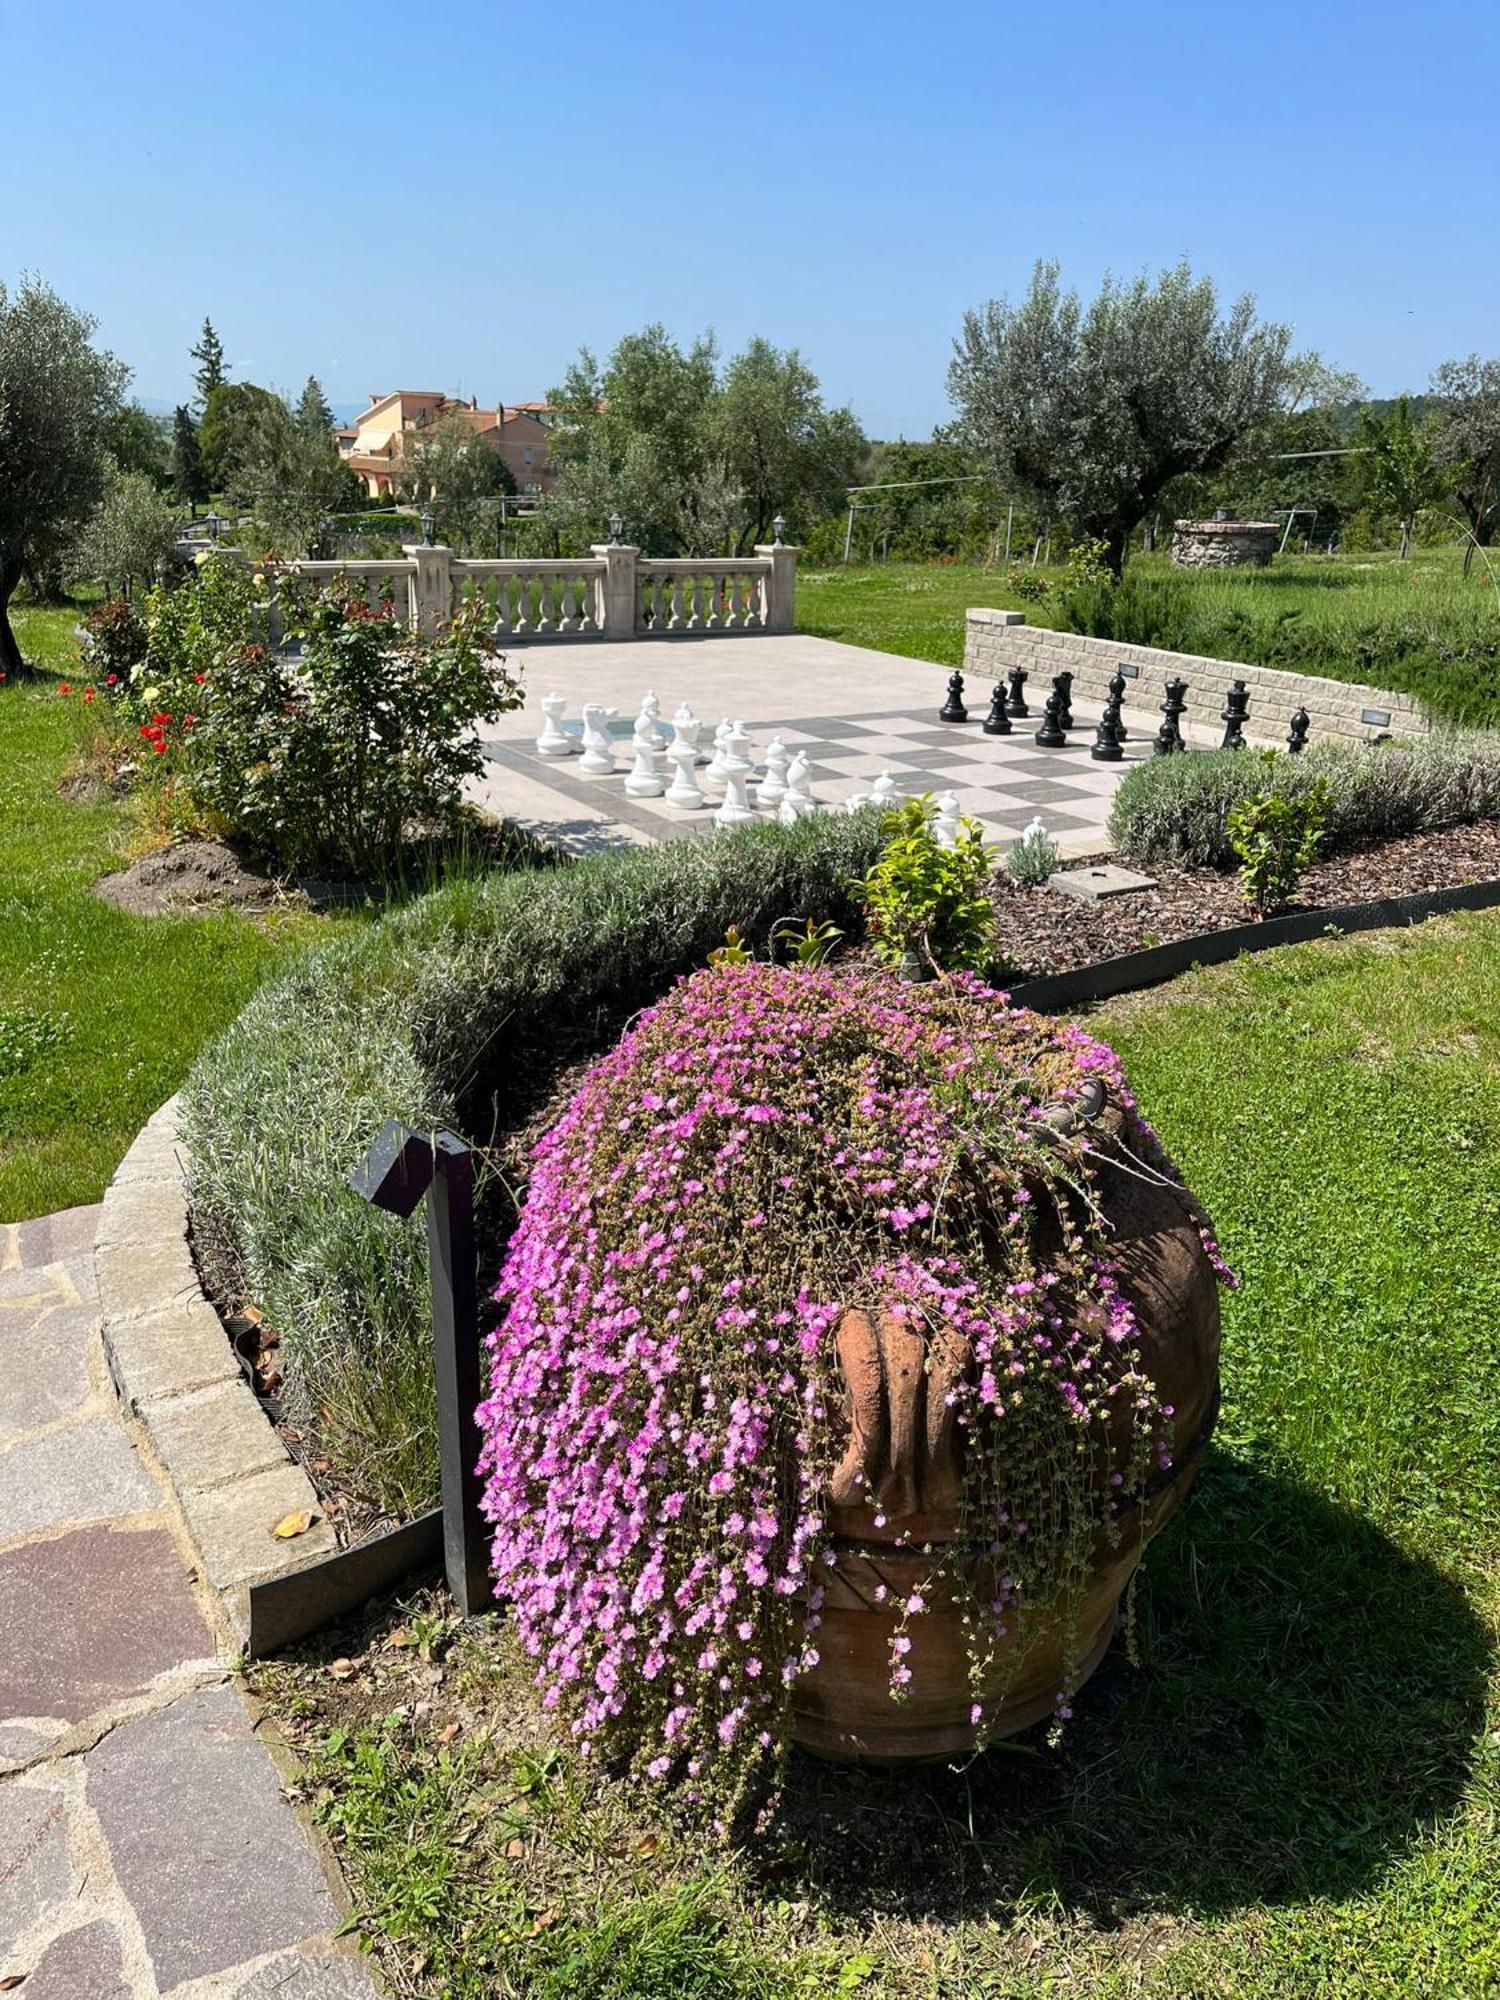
57 395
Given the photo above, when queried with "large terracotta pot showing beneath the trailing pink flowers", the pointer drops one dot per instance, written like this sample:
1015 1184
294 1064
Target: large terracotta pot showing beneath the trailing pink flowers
903 1461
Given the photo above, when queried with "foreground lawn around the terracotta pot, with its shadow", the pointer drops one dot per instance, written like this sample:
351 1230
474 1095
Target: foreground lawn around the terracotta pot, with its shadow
1295 1795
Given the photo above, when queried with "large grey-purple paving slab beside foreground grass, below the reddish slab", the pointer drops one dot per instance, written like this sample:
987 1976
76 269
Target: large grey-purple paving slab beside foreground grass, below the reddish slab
201 1839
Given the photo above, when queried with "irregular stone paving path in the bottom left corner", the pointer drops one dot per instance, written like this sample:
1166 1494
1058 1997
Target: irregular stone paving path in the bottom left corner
147 1847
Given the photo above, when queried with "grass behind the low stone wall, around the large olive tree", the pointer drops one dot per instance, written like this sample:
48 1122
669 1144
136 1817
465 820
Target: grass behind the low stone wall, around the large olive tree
1419 627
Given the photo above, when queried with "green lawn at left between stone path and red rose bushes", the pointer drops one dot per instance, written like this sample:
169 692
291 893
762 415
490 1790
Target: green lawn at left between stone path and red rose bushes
101 1013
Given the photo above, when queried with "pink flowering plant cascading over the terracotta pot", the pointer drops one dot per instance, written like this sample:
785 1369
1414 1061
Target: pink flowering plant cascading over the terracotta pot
761 1153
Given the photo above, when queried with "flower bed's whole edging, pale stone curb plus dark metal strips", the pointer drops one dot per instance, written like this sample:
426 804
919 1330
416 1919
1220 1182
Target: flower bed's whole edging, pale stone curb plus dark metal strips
177 1373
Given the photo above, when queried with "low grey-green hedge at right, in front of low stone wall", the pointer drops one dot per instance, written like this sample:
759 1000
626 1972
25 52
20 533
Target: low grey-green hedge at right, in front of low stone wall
1175 809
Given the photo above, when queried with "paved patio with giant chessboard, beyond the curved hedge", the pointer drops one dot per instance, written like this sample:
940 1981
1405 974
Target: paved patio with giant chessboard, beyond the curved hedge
851 711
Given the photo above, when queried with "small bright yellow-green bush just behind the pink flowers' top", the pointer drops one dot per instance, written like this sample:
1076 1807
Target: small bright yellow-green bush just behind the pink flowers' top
927 905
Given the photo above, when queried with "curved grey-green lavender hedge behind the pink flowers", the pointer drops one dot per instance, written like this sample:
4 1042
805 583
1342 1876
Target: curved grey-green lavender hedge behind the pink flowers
455 1011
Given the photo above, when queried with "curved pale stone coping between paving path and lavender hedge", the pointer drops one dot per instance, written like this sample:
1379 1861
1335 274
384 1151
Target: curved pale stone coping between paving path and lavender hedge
175 1371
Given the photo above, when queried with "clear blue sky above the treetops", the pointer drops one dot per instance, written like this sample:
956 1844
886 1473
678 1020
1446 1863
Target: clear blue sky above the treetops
459 197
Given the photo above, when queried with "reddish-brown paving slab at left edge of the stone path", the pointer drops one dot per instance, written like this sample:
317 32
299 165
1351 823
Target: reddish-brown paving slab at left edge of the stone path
91 1619
